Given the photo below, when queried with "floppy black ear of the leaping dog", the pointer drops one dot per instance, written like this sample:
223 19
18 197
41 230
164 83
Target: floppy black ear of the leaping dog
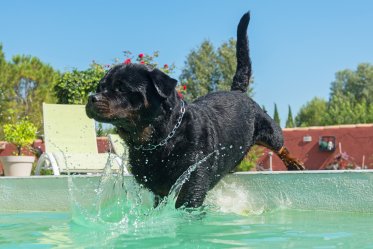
162 82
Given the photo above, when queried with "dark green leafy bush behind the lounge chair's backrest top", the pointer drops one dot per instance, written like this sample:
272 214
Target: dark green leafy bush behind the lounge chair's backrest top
74 87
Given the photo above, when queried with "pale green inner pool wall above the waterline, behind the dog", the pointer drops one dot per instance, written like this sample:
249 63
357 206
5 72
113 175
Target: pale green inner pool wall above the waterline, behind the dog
308 190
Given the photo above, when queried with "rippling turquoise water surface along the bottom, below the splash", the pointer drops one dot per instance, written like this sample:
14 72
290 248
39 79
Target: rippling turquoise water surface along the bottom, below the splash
177 229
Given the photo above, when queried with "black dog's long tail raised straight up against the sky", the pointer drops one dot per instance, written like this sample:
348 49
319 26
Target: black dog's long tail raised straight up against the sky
243 72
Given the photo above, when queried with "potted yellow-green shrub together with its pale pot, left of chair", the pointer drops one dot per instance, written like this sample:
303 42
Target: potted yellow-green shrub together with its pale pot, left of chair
21 134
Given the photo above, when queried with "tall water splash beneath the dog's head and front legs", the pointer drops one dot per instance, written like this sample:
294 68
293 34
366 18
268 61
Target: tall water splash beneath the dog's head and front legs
121 204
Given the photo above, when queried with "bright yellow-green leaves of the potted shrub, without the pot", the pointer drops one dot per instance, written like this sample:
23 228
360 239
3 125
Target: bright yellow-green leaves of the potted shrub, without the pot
21 134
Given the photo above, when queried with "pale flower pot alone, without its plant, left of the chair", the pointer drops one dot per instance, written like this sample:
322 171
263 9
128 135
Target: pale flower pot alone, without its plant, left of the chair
17 165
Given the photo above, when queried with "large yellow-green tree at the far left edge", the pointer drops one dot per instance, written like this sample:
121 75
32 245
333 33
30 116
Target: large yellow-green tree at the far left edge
25 83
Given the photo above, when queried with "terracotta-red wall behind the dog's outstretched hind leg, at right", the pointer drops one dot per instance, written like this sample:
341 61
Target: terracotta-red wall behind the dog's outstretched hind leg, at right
355 140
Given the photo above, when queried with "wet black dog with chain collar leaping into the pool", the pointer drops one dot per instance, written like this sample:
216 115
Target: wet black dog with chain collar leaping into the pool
166 136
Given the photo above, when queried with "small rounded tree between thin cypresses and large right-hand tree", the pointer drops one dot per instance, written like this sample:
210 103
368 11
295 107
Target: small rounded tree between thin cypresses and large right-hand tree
312 113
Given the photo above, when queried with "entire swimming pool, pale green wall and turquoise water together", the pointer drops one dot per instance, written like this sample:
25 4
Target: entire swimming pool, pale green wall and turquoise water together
259 210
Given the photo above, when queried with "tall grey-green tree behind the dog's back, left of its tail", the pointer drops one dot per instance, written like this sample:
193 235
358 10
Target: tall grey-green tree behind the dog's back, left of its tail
208 69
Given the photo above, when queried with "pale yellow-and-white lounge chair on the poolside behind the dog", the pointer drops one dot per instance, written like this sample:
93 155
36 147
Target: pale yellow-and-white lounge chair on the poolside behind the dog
70 142
